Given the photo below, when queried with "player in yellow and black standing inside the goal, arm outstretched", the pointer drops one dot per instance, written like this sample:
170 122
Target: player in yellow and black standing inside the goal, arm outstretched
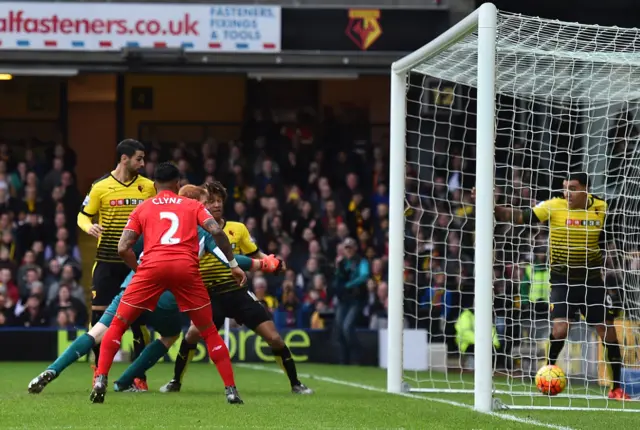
576 246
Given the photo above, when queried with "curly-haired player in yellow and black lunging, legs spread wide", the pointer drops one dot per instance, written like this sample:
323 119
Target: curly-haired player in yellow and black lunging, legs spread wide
229 300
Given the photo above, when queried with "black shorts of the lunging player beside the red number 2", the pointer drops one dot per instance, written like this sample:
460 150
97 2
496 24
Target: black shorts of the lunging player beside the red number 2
241 305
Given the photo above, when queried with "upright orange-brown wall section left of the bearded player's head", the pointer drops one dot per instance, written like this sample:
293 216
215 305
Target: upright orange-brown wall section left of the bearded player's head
91 101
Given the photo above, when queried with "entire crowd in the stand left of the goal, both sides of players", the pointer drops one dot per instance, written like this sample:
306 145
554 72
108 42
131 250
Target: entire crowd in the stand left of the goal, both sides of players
315 195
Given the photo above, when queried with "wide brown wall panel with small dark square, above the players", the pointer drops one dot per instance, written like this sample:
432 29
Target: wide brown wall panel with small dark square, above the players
219 98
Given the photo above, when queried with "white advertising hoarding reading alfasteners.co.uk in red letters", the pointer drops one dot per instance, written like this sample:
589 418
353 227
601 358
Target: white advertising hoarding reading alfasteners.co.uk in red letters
113 26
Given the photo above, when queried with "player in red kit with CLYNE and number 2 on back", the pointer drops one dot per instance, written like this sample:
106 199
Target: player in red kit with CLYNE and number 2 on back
170 262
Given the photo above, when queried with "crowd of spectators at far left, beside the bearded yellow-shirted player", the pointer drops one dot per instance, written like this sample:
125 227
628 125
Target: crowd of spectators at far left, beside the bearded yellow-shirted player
40 264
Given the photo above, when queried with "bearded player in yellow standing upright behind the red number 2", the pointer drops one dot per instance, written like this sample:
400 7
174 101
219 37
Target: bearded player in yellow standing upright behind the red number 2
113 197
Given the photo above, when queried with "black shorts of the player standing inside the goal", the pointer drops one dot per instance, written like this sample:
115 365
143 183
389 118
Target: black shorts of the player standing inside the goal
590 298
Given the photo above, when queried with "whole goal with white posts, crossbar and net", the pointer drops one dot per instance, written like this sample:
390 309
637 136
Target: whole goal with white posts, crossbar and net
557 98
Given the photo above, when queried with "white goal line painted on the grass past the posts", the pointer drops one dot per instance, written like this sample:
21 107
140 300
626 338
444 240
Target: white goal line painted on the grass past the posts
506 417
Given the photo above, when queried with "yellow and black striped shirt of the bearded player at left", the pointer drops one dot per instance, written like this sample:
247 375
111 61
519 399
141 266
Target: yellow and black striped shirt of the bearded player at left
114 202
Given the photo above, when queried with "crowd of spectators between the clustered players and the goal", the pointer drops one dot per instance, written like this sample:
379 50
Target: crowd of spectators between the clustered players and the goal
313 195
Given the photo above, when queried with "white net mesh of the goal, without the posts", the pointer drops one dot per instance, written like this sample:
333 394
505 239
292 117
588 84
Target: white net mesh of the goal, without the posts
568 98
